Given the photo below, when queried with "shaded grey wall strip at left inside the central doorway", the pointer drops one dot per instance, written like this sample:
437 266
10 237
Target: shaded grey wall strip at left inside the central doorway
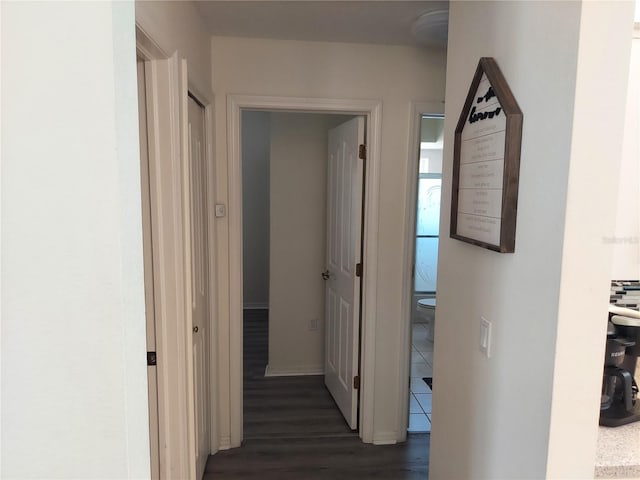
255 208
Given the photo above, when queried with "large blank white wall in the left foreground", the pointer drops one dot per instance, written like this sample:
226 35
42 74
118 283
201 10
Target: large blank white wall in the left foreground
74 386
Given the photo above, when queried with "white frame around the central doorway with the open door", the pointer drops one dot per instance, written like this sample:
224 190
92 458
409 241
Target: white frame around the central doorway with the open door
372 111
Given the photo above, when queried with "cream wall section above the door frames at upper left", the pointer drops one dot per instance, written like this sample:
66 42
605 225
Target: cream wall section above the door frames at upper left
176 25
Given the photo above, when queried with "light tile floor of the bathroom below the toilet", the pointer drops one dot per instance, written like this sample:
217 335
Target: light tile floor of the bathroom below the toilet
421 366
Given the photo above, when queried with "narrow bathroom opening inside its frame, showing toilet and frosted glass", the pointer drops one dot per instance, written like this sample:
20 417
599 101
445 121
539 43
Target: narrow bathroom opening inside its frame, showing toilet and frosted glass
424 269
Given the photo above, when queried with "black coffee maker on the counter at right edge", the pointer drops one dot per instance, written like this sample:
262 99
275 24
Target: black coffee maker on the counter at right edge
619 401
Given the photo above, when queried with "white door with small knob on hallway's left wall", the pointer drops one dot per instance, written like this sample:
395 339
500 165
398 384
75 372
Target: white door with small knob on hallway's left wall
199 282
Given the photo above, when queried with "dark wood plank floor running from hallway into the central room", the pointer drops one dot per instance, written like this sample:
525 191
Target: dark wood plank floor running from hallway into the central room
294 430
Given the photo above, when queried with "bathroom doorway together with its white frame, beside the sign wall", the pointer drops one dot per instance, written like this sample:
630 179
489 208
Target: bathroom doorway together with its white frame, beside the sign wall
422 222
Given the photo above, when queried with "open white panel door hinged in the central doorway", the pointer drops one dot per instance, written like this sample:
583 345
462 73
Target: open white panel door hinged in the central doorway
344 225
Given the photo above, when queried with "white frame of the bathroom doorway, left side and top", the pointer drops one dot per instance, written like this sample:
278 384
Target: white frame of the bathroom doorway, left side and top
417 110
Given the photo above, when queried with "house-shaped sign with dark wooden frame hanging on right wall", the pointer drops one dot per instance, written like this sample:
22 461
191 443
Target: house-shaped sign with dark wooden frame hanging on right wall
486 163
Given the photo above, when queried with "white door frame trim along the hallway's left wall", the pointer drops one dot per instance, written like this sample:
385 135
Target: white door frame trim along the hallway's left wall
167 85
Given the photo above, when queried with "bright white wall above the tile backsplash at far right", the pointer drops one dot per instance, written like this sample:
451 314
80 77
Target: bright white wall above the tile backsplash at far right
625 240
